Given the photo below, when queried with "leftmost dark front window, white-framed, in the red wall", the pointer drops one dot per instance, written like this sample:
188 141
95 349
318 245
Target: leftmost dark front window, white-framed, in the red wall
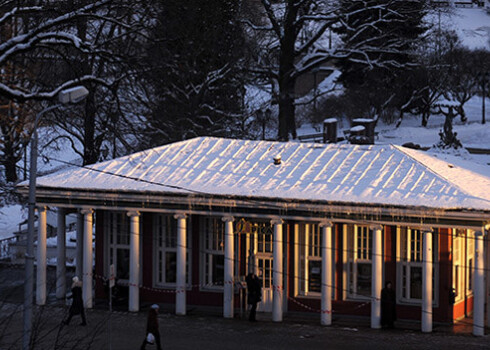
117 231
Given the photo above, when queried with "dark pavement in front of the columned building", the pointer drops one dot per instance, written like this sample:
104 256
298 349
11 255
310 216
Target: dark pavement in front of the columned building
205 328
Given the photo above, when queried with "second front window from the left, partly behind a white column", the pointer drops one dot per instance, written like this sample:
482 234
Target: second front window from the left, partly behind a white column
165 237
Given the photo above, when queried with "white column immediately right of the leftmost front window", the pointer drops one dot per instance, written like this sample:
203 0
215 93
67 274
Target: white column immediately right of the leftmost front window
134 260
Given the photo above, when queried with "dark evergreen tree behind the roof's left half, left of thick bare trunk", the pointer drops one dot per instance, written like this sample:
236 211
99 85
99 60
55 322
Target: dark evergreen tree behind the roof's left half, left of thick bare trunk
194 69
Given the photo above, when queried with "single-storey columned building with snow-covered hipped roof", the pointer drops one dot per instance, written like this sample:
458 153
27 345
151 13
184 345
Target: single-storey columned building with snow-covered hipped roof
323 225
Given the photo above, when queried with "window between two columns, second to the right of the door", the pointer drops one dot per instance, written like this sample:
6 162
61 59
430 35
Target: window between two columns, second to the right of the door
358 247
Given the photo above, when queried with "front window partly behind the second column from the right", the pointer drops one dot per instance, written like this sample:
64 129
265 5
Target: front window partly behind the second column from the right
410 261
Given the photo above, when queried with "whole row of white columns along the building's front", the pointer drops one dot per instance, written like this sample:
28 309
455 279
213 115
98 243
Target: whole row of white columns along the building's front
84 267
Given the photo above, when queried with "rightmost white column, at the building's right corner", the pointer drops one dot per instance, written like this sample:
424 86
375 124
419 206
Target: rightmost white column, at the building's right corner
479 288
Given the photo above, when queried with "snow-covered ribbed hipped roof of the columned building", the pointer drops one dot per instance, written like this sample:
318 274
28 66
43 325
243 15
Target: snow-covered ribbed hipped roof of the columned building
371 174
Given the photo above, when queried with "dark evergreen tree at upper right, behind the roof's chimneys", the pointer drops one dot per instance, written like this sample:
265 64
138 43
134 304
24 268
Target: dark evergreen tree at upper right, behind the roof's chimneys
388 30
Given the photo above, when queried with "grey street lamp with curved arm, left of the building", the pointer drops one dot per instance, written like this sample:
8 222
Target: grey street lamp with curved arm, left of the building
68 96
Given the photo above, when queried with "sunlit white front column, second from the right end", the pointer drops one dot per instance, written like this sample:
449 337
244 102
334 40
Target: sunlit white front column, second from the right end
427 282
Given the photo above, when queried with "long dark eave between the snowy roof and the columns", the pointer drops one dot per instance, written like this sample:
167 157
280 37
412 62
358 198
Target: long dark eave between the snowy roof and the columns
241 206
